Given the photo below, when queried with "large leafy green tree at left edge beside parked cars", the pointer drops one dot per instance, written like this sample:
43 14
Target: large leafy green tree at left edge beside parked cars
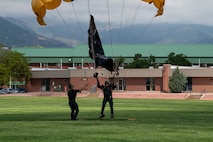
14 65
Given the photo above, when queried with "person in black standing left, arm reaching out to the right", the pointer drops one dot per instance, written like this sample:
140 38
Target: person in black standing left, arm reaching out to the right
72 101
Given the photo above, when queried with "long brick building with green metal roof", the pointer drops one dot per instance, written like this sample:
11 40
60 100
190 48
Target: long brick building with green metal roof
54 68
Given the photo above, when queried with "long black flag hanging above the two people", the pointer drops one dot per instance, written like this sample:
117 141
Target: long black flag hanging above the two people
96 51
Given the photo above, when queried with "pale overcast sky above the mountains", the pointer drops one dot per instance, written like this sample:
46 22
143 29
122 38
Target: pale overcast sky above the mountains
120 11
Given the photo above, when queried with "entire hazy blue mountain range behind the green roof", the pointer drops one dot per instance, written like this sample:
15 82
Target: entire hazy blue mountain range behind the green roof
15 32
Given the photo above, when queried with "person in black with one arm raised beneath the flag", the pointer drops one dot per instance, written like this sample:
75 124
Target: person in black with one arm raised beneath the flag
107 91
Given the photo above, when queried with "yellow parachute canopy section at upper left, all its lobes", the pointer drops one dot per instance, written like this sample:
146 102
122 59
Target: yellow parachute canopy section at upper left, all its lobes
40 6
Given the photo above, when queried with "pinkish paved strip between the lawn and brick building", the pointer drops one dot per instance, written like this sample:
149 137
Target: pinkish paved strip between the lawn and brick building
123 94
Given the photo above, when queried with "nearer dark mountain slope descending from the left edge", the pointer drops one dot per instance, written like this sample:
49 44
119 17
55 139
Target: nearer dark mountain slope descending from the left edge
13 35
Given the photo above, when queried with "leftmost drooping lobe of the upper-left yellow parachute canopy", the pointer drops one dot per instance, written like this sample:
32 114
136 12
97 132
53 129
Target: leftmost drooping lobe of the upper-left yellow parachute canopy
39 10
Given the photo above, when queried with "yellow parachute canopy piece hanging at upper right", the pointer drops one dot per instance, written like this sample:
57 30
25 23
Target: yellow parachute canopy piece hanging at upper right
159 4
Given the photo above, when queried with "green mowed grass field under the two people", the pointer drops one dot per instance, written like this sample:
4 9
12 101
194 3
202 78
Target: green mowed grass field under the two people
47 119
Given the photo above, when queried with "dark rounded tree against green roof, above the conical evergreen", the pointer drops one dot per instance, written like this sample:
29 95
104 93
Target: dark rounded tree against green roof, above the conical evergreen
178 59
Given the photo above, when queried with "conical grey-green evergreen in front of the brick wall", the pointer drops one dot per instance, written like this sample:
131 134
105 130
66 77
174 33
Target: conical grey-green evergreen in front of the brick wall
177 82
